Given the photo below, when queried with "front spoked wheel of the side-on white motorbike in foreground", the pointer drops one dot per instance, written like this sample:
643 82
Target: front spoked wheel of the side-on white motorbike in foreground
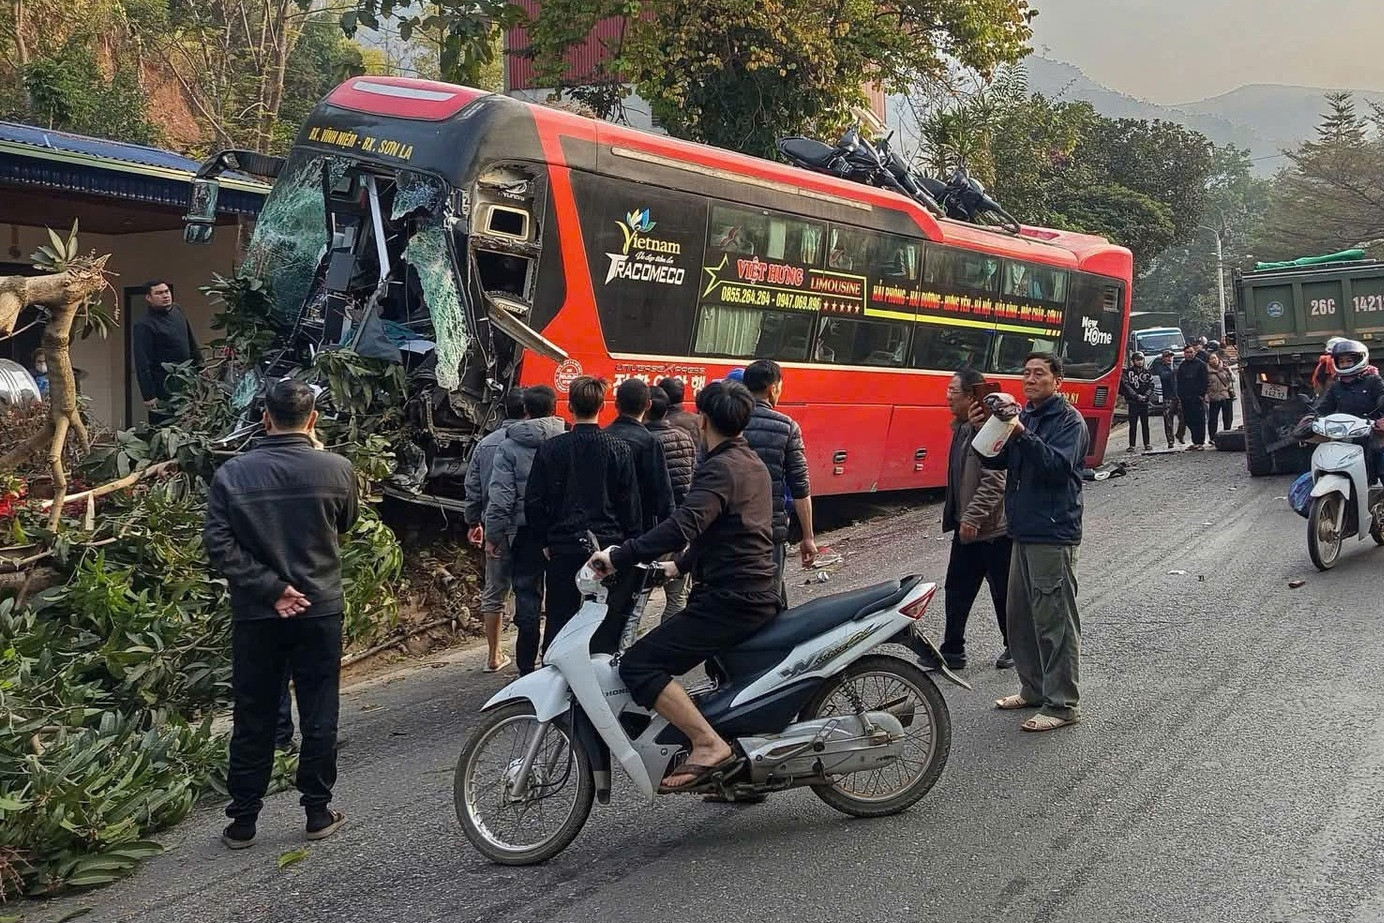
528 830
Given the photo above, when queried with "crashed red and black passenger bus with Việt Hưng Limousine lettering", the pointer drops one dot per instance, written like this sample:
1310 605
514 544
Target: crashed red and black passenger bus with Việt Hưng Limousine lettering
527 244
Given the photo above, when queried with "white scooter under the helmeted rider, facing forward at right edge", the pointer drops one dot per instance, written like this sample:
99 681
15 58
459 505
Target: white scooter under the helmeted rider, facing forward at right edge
1345 504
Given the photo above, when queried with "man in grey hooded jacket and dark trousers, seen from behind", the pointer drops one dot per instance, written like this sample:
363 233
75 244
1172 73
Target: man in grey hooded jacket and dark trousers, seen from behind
507 529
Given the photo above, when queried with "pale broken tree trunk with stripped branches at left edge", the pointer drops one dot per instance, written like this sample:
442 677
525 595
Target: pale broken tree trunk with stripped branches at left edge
63 294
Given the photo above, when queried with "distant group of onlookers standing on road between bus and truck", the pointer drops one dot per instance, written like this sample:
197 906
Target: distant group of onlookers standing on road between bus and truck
1196 394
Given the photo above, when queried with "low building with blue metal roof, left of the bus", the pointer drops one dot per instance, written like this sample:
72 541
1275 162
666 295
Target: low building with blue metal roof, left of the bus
129 203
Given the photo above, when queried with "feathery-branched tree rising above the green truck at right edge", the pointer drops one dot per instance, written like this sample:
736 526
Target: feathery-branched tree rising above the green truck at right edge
1332 197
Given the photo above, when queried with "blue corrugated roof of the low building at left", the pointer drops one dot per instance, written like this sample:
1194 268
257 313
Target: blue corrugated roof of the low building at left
31 156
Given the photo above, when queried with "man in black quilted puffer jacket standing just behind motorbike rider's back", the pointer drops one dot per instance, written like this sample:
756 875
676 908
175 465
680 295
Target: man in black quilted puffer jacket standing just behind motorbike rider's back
778 441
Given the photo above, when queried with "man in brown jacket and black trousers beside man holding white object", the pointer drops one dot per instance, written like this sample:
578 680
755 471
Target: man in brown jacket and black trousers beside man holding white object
975 514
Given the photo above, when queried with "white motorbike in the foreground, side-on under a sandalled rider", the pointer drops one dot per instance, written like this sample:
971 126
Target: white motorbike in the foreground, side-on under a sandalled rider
808 701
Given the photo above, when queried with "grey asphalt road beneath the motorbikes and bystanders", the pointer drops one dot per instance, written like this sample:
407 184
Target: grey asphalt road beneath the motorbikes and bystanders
1230 766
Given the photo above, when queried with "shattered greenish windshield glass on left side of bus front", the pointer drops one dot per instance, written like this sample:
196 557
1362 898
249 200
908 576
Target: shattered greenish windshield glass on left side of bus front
291 233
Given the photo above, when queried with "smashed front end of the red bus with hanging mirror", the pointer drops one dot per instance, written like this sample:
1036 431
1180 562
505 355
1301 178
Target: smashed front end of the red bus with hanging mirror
406 225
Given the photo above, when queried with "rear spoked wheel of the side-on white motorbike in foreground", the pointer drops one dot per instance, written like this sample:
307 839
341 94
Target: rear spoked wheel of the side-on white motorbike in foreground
888 684
